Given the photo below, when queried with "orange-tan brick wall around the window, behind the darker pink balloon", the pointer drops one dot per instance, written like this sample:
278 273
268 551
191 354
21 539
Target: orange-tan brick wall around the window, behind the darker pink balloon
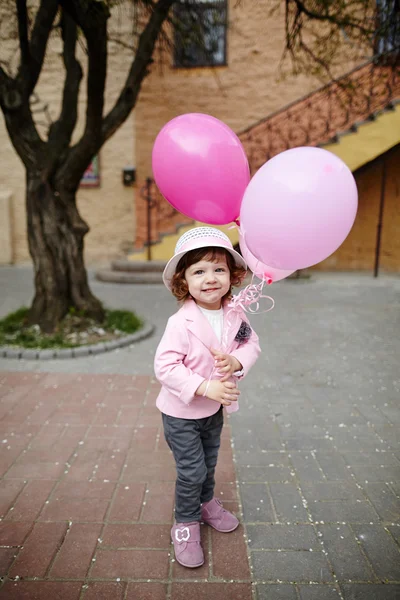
248 89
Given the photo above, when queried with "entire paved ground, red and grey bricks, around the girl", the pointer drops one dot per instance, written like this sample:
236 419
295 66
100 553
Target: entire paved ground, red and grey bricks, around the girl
87 487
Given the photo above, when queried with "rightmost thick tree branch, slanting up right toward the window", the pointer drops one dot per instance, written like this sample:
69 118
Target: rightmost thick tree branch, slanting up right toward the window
138 71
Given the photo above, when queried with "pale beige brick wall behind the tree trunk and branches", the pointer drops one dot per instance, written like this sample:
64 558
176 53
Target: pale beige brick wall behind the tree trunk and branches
109 209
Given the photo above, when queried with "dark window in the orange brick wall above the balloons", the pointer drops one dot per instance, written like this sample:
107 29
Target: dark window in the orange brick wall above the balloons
200 33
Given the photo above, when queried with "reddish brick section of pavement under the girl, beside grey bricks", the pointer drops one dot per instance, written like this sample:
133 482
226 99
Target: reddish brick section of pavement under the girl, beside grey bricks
86 496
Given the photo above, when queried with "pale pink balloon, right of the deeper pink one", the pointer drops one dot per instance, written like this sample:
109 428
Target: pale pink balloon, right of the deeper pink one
298 208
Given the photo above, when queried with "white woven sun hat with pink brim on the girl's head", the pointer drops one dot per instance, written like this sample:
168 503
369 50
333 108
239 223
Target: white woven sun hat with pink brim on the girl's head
199 237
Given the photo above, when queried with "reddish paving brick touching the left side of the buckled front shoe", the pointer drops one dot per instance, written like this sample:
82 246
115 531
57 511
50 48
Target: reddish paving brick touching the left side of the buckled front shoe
136 536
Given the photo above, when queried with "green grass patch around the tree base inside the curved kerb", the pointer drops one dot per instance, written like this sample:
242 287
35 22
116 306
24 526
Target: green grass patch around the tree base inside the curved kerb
75 329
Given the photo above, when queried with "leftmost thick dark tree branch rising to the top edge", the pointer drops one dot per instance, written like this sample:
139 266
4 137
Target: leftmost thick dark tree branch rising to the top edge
28 73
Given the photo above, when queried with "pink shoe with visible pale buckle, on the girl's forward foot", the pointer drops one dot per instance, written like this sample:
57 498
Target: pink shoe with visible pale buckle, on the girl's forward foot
187 546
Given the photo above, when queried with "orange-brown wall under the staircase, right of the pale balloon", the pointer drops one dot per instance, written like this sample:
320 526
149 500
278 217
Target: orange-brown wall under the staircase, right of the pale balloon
358 251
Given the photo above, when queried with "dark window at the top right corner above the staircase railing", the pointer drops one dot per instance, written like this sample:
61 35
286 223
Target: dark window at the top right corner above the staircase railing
388 26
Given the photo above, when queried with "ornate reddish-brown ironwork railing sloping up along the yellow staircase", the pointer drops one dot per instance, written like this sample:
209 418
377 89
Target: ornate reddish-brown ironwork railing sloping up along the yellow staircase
319 117
